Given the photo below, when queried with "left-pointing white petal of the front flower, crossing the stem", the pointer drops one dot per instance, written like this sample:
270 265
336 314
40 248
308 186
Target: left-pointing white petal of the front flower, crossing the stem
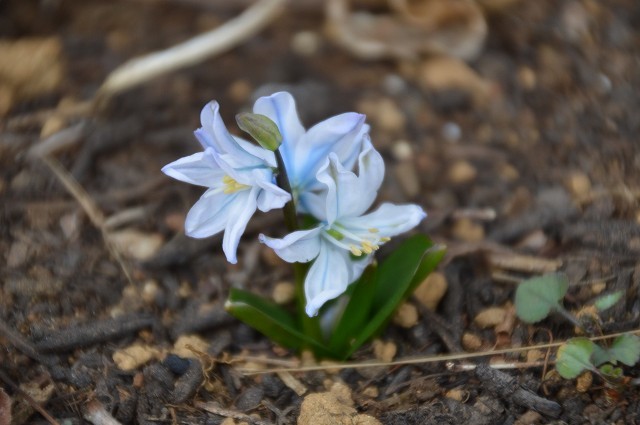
297 247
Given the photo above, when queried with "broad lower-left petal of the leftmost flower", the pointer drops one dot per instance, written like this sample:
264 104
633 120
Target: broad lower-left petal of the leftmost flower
209 215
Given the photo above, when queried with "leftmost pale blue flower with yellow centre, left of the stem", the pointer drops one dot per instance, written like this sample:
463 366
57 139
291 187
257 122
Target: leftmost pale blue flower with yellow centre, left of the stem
240 179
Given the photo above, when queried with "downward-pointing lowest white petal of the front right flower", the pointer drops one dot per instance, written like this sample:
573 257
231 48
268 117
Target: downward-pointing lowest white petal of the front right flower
327 278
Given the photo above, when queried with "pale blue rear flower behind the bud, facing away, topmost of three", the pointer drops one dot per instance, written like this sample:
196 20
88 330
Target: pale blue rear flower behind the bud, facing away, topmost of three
305 151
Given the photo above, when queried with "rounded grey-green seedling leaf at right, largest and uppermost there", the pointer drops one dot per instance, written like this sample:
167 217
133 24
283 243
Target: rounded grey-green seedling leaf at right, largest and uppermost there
537 297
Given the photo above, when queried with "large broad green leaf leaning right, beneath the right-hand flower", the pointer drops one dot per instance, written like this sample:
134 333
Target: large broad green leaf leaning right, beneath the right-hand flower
405 268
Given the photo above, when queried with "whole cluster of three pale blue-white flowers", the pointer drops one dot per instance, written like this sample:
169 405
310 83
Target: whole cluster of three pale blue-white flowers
334 174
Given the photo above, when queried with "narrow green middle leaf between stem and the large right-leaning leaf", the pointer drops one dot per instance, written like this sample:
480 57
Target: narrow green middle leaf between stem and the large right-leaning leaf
356 313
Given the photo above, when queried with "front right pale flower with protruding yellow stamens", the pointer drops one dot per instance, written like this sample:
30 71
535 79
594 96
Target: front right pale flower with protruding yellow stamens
344 230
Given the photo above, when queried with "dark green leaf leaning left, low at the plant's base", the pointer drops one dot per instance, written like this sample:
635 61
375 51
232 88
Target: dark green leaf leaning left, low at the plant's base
271 320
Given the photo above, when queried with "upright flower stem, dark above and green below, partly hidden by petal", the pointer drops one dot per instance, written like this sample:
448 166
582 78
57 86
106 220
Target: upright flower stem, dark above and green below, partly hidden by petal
310 325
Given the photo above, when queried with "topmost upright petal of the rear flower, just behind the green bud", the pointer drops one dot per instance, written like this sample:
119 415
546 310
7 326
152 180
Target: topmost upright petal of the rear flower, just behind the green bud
281 109
